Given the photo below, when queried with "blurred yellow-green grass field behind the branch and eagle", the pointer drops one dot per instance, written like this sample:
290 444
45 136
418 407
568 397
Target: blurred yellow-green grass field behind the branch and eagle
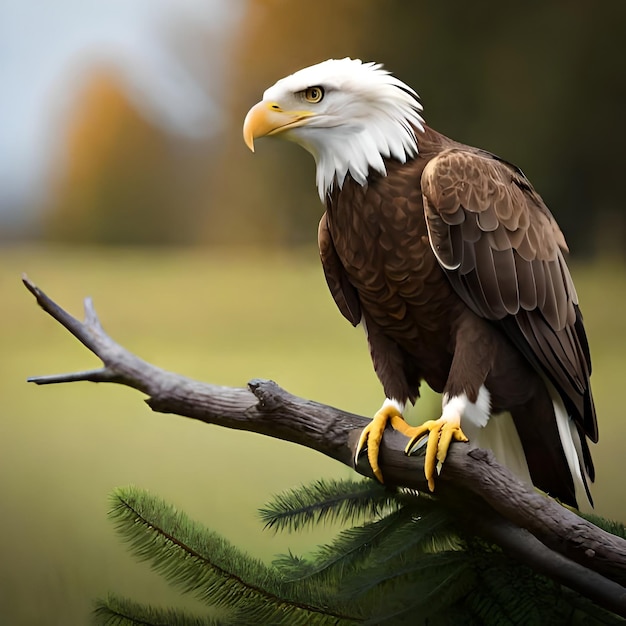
223 317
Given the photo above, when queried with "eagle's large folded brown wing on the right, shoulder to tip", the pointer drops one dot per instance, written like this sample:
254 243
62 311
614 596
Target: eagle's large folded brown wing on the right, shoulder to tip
503 253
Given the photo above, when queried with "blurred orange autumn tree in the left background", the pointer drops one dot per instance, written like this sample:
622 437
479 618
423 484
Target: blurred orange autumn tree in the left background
123 181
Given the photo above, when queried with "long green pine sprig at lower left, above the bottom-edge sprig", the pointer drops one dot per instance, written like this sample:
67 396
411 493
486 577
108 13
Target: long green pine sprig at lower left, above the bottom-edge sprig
198 561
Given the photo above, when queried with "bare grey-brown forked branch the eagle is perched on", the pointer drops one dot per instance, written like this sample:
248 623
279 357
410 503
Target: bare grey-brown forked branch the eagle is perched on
531 527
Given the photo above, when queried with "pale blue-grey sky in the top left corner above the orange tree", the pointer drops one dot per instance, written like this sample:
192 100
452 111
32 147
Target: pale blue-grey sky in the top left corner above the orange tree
46 49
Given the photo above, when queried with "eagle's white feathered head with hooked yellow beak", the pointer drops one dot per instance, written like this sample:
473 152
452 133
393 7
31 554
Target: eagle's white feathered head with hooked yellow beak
348 114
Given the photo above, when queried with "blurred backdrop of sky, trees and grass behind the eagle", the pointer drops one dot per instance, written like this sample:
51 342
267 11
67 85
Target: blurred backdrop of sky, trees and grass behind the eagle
123 176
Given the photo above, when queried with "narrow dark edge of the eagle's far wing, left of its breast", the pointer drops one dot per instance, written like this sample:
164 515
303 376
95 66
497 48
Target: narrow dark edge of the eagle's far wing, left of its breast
342 290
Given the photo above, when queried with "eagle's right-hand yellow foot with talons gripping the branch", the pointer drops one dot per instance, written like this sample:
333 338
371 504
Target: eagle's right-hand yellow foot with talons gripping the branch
440 435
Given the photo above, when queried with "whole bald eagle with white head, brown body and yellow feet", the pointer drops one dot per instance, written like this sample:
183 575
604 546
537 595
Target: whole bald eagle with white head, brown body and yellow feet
453 266
